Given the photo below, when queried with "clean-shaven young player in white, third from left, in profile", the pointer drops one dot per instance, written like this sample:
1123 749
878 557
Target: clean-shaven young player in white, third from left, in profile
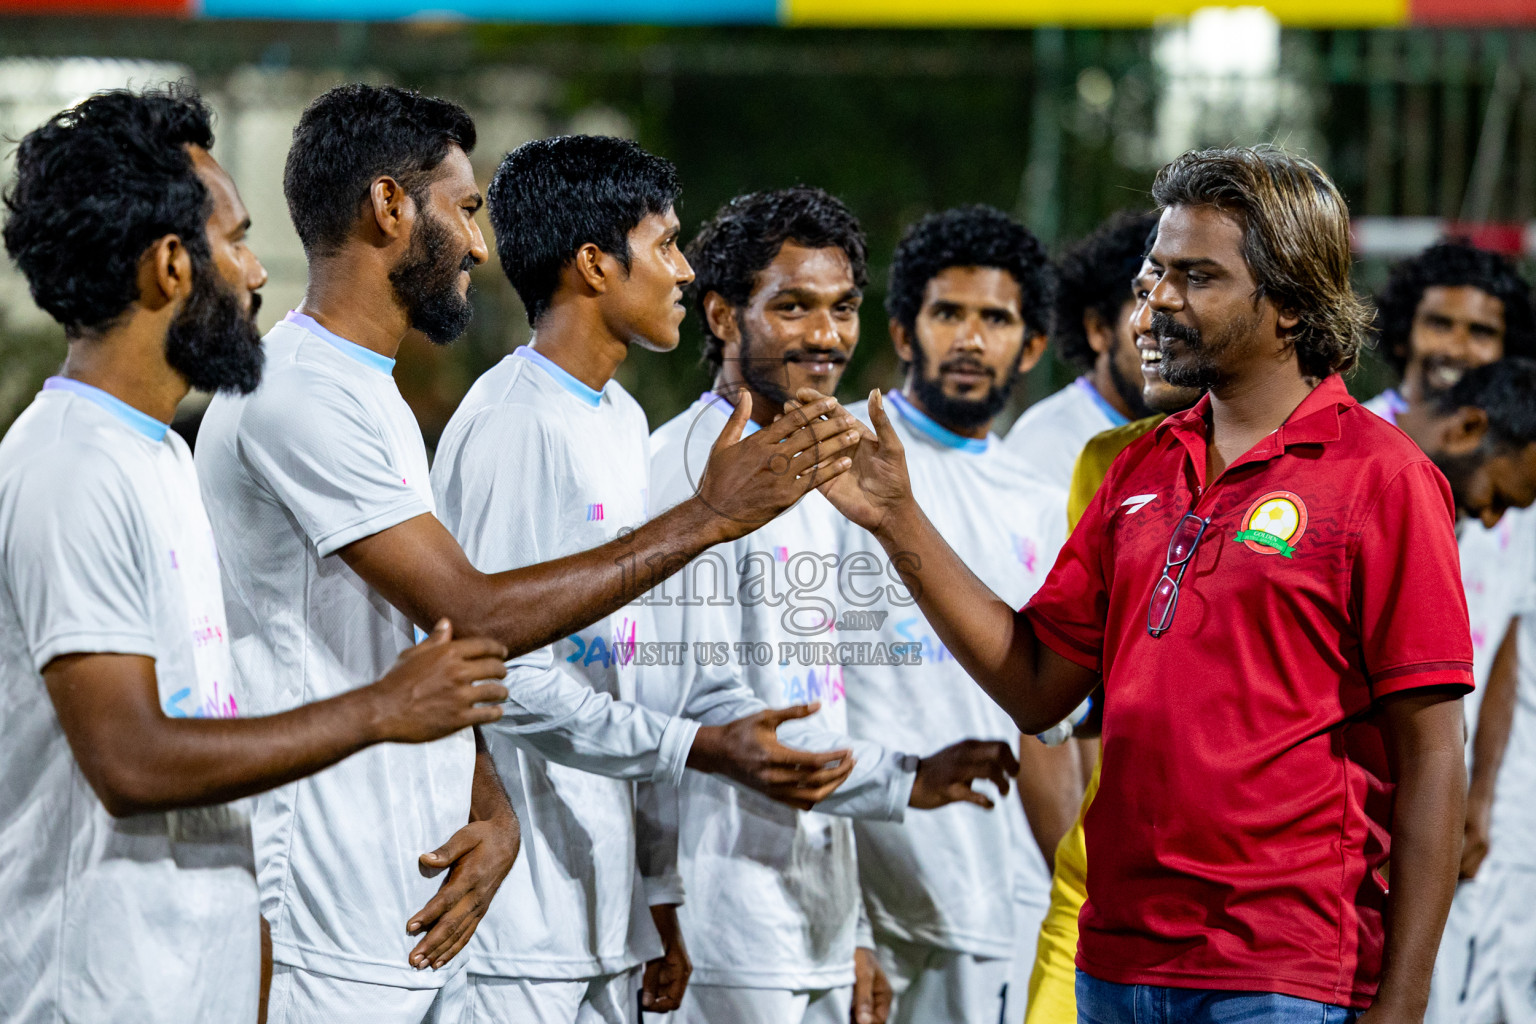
549 455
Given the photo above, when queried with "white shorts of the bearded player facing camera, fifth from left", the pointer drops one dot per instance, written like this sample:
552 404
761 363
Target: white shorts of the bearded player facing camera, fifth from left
942 985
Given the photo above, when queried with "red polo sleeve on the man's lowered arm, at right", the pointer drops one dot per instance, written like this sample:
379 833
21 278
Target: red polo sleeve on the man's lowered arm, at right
1408 592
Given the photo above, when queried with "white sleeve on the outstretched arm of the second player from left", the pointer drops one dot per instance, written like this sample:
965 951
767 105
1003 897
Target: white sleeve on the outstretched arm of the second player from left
319 452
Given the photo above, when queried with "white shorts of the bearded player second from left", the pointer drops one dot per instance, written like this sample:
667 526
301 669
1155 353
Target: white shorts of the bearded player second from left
303 997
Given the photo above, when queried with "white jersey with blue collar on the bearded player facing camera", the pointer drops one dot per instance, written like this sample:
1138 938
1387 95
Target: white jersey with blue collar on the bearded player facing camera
947 877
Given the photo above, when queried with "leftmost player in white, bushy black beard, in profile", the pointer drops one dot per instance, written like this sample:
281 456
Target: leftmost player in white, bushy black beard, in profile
125 845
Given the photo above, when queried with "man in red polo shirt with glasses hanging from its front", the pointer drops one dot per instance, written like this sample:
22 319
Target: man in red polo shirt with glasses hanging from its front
1270 587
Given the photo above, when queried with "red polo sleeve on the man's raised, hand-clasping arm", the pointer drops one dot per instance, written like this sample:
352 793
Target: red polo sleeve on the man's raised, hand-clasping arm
1071 607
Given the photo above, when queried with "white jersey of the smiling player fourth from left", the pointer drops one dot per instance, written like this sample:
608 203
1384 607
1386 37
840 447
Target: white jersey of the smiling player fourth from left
773 893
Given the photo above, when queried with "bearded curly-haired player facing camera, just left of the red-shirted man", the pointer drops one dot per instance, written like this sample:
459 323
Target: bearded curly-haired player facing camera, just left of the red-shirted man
955 897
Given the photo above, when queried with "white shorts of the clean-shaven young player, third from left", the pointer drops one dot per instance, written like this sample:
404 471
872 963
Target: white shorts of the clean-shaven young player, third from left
601 1000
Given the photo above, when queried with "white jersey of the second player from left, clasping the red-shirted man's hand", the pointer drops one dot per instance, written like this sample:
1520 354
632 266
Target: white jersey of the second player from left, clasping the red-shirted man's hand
325 454
